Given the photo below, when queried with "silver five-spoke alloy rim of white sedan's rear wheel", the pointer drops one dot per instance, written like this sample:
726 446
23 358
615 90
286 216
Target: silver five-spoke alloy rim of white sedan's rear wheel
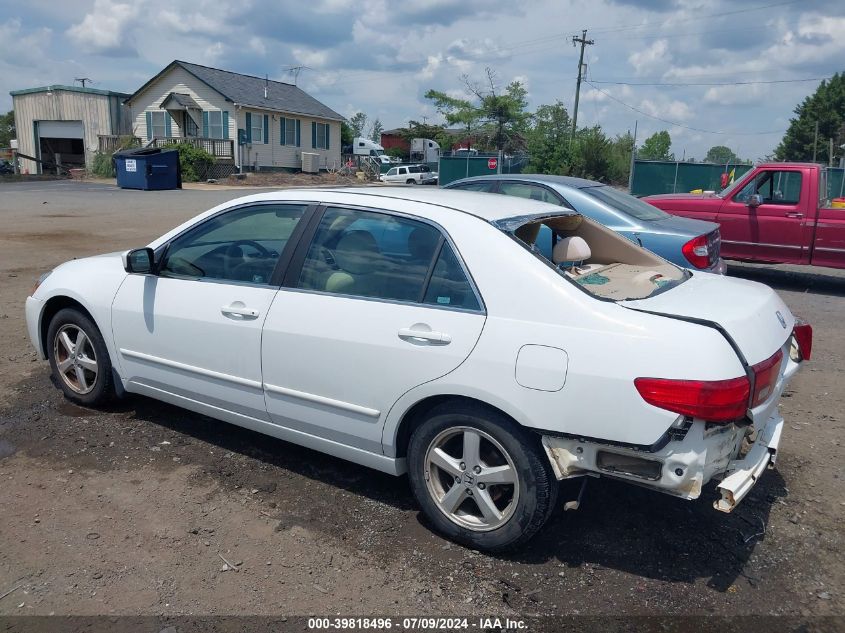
471 478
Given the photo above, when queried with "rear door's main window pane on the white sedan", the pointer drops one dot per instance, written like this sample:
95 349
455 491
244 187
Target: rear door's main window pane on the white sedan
370 254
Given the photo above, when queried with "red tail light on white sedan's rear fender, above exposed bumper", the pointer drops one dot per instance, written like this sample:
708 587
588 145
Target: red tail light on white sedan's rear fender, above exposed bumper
711 400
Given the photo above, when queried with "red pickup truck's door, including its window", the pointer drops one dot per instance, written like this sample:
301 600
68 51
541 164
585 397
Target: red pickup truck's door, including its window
776 230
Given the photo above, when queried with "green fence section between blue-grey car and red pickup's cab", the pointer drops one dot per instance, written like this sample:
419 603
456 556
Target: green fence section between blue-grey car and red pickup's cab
652 177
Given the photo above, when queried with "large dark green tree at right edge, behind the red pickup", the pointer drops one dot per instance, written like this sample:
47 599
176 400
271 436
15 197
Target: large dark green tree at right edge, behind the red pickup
825 106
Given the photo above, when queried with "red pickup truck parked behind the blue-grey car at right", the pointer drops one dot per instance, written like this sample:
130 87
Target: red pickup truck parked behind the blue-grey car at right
775 213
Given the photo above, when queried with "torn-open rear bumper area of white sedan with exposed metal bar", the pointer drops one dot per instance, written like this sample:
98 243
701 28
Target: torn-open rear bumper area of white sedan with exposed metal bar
684 465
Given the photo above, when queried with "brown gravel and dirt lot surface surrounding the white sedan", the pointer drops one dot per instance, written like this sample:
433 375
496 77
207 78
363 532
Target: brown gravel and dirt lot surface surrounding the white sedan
147 509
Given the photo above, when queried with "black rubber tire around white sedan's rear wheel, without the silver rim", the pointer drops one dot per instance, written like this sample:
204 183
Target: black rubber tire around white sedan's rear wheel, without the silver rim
537 484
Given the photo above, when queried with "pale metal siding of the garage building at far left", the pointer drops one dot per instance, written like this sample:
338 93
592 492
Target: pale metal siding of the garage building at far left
91 109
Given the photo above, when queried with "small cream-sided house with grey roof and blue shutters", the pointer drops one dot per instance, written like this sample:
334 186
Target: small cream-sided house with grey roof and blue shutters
241 119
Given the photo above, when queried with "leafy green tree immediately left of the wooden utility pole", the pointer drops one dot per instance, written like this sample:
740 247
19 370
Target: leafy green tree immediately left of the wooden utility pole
547 140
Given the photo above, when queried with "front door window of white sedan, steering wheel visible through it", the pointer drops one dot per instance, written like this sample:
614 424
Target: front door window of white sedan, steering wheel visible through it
240 245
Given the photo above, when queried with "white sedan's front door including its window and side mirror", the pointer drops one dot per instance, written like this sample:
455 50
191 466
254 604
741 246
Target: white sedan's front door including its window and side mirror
193 330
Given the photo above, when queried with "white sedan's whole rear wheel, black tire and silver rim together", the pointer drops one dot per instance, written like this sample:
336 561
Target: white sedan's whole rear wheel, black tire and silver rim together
480 478
